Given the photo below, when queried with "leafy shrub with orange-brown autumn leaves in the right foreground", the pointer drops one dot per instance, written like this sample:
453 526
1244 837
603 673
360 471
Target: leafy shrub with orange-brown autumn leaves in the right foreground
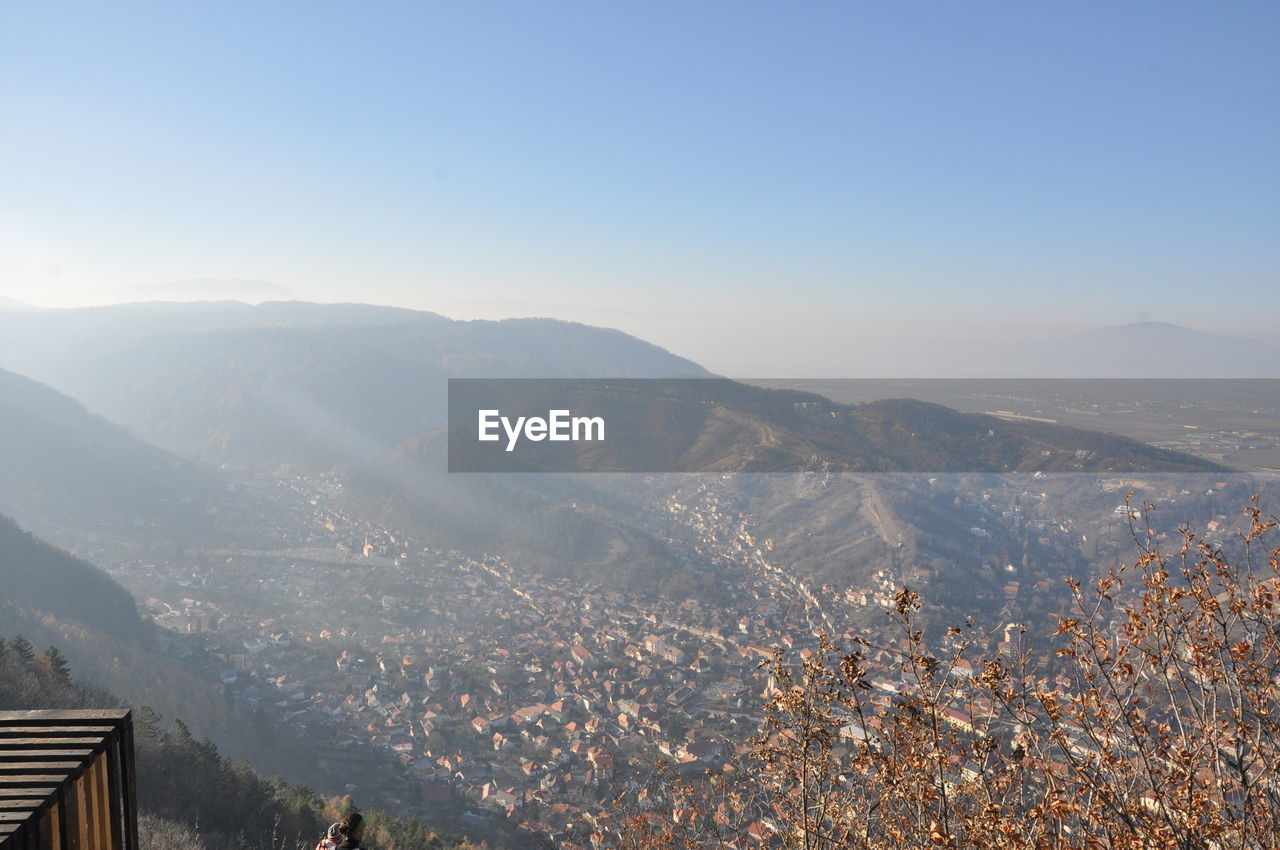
1151 719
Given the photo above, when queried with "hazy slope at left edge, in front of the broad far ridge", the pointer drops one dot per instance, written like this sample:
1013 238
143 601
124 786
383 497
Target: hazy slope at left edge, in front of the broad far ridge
65 469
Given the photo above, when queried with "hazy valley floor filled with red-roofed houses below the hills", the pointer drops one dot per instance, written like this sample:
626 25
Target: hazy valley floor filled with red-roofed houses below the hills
474 691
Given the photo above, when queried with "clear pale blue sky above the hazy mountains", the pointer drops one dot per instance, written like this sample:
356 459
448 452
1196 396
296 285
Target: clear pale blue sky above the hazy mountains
769 189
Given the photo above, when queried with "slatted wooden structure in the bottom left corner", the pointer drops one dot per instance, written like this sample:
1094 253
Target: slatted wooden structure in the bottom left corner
67 782
